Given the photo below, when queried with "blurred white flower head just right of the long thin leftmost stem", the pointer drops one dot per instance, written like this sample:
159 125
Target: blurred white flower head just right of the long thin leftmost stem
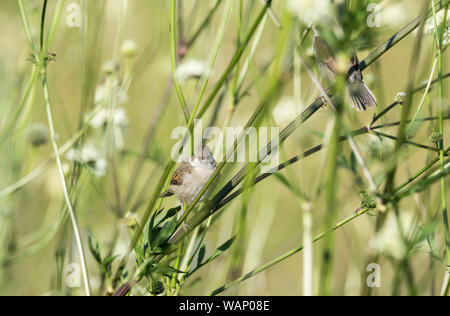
90 157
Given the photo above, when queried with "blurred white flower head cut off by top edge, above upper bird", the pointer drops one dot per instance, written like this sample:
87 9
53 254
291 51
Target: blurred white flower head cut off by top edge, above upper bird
309 11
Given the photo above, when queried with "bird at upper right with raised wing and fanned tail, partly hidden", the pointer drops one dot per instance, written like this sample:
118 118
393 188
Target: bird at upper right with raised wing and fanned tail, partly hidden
358 93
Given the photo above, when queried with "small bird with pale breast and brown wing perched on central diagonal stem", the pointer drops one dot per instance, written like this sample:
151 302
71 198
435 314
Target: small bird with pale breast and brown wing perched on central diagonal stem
190 177
